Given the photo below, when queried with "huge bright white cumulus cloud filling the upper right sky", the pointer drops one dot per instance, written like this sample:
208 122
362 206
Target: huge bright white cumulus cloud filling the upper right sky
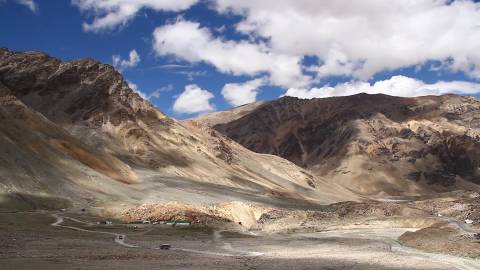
362 38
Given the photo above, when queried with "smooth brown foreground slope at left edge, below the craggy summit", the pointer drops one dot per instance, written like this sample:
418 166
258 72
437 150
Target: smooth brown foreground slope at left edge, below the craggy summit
42 165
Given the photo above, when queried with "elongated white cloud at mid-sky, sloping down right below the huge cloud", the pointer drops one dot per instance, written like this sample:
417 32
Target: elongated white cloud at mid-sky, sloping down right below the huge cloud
190 42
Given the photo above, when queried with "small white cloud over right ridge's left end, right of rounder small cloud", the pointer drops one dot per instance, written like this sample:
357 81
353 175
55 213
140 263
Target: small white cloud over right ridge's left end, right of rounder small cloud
242 93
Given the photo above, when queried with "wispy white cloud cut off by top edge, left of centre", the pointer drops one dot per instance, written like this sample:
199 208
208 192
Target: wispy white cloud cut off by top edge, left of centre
108 14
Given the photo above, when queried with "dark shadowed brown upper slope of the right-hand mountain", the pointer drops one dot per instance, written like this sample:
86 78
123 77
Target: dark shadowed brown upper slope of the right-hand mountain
307 131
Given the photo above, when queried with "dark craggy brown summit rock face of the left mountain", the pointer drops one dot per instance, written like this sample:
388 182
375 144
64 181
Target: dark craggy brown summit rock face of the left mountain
73 91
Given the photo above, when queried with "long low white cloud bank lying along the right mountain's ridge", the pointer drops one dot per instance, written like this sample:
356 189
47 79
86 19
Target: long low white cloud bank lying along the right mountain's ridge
395 86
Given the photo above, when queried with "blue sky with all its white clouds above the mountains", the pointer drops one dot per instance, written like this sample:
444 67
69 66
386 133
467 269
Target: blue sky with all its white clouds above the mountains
190 57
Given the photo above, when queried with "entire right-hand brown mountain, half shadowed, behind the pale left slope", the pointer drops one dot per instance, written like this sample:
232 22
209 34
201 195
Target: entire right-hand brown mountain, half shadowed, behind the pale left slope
374 145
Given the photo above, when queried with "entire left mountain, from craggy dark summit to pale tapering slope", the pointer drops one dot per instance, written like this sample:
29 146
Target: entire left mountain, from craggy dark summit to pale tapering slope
74 132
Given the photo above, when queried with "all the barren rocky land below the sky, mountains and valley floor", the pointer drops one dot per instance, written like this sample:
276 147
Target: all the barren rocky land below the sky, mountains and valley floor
359 182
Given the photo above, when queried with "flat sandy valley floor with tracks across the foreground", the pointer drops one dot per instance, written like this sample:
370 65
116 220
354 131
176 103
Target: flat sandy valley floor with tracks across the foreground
46 240
